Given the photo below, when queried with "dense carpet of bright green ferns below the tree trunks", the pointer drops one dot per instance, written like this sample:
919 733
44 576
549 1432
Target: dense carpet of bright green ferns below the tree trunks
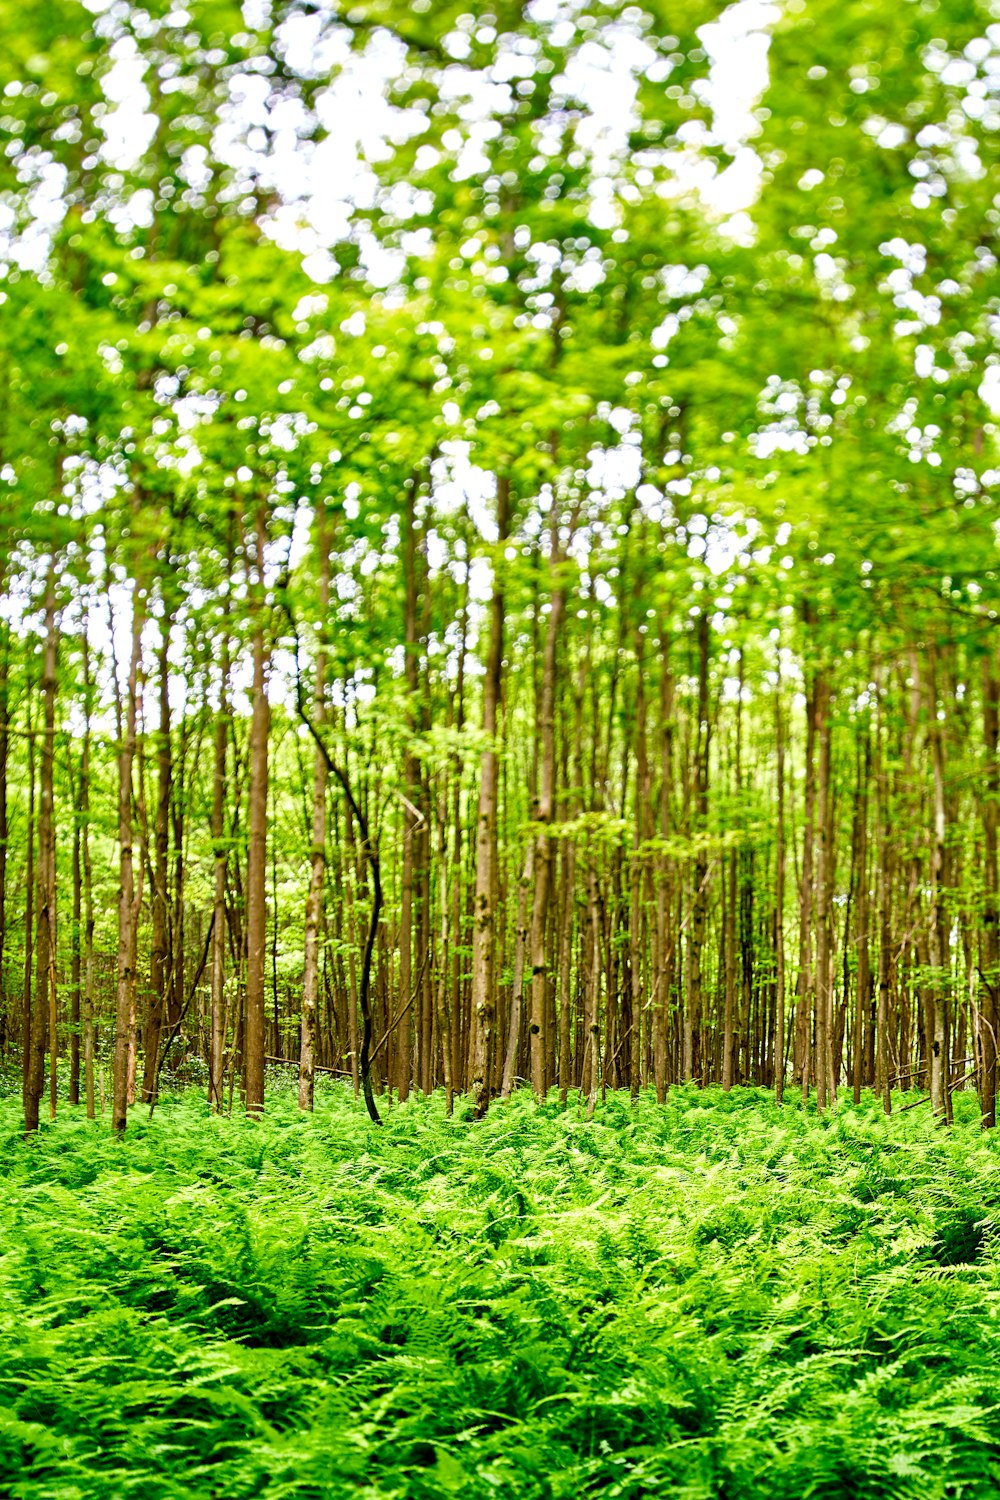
710 1298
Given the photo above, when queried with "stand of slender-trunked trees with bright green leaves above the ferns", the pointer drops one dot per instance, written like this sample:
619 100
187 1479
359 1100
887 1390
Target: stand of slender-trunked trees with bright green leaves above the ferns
499 548
